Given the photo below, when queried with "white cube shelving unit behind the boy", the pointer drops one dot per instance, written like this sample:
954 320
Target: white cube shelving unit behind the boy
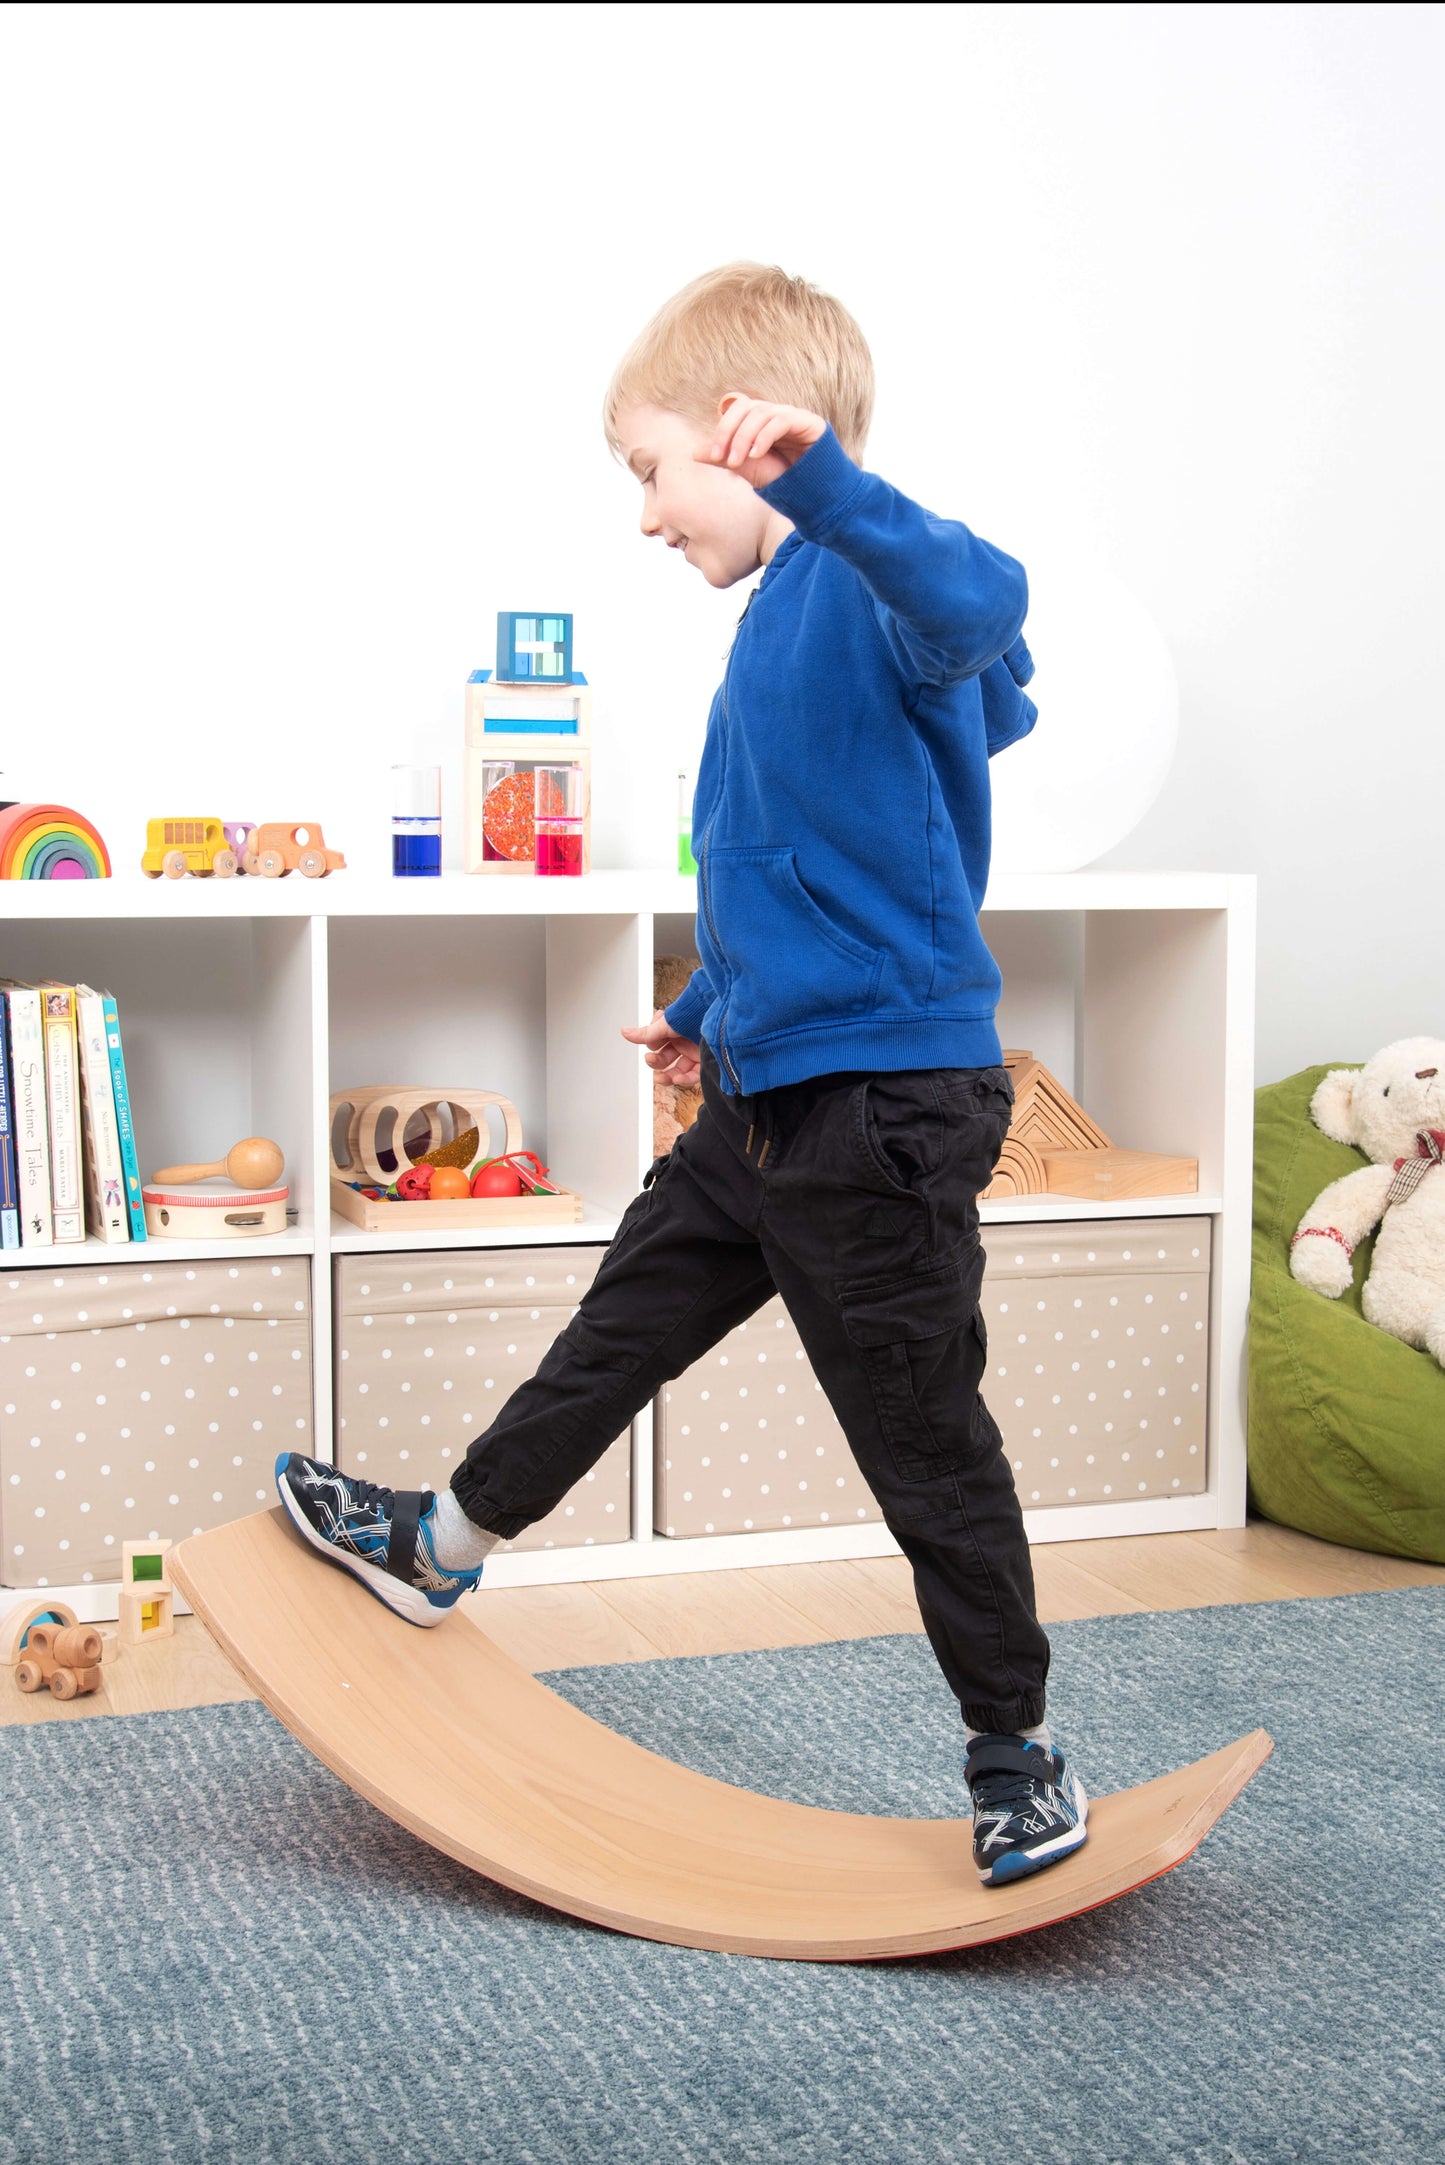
246 1003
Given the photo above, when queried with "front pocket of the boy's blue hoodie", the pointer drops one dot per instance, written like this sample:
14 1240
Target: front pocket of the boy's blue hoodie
790 965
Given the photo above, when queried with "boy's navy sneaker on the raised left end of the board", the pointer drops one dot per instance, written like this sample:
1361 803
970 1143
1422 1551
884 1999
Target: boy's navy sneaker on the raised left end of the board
380 1536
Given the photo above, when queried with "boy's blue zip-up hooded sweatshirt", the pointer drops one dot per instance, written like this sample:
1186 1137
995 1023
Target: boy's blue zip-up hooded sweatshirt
844 806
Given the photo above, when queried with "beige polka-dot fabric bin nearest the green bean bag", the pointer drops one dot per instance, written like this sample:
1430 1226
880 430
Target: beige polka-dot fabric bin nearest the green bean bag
1099 1356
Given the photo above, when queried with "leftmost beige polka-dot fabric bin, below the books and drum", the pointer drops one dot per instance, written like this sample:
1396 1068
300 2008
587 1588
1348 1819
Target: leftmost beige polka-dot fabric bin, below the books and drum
144 1402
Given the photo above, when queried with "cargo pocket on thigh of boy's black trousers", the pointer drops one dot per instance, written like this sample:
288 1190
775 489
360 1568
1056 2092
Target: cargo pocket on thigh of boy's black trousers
922 1346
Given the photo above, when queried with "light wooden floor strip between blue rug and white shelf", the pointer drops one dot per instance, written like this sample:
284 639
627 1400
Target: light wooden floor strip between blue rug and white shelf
787 1605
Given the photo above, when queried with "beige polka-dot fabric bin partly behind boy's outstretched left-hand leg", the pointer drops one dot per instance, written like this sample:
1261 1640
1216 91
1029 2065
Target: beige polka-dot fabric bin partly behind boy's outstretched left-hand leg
432 1346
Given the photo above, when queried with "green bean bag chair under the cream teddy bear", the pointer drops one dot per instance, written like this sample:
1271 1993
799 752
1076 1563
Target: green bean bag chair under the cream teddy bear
1346 1423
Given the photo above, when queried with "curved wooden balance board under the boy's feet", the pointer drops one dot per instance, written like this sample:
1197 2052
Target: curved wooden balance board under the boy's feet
467 1750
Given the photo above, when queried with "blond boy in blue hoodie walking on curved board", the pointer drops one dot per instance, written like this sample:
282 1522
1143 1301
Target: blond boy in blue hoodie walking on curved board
842 1023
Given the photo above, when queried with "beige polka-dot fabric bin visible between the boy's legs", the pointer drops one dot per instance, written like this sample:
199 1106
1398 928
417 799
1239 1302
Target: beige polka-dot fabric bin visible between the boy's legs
746 1441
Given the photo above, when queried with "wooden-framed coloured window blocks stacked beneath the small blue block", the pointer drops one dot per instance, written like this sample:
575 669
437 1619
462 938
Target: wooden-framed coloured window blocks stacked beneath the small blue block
510 733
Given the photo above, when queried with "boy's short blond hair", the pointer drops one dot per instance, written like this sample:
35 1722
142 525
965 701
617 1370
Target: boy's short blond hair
755 330
